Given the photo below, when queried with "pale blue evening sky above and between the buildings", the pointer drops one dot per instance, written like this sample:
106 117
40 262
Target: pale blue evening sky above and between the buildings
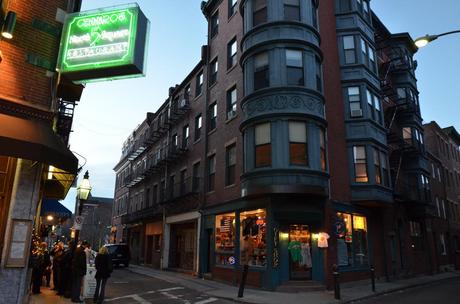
109 111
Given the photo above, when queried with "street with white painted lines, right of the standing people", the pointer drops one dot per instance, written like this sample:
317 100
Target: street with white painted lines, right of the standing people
126 287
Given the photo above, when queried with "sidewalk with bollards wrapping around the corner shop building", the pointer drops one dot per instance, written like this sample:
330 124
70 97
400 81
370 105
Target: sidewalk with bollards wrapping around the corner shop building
349 291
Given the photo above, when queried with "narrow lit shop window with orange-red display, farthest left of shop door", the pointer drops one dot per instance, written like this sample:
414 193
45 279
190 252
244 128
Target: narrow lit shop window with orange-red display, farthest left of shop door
225 239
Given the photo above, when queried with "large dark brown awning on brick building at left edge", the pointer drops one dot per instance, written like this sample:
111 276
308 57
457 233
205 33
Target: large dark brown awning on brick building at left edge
34 140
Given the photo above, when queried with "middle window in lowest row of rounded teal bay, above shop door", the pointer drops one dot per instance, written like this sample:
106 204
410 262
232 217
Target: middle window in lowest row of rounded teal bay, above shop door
298 152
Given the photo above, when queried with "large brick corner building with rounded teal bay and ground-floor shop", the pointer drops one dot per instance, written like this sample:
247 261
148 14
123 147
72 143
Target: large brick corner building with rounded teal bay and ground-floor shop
295 143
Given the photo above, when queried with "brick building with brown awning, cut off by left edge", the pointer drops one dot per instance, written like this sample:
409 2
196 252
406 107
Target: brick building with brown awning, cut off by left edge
36 112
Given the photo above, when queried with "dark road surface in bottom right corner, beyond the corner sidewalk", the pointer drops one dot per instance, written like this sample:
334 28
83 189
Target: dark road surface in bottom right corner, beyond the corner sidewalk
444 292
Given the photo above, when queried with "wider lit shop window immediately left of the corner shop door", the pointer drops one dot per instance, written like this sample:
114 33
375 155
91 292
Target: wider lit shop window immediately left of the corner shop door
253 246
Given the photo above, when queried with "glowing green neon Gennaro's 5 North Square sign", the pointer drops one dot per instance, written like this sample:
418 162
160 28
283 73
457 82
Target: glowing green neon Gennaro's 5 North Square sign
104 44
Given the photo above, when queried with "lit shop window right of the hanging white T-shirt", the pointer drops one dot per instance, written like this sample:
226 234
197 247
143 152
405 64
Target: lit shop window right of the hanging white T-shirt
351 234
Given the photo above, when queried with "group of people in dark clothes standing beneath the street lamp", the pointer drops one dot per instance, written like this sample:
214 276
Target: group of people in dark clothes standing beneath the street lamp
68 266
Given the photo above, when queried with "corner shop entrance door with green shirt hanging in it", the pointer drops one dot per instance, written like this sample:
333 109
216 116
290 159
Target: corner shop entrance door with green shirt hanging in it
300 262
